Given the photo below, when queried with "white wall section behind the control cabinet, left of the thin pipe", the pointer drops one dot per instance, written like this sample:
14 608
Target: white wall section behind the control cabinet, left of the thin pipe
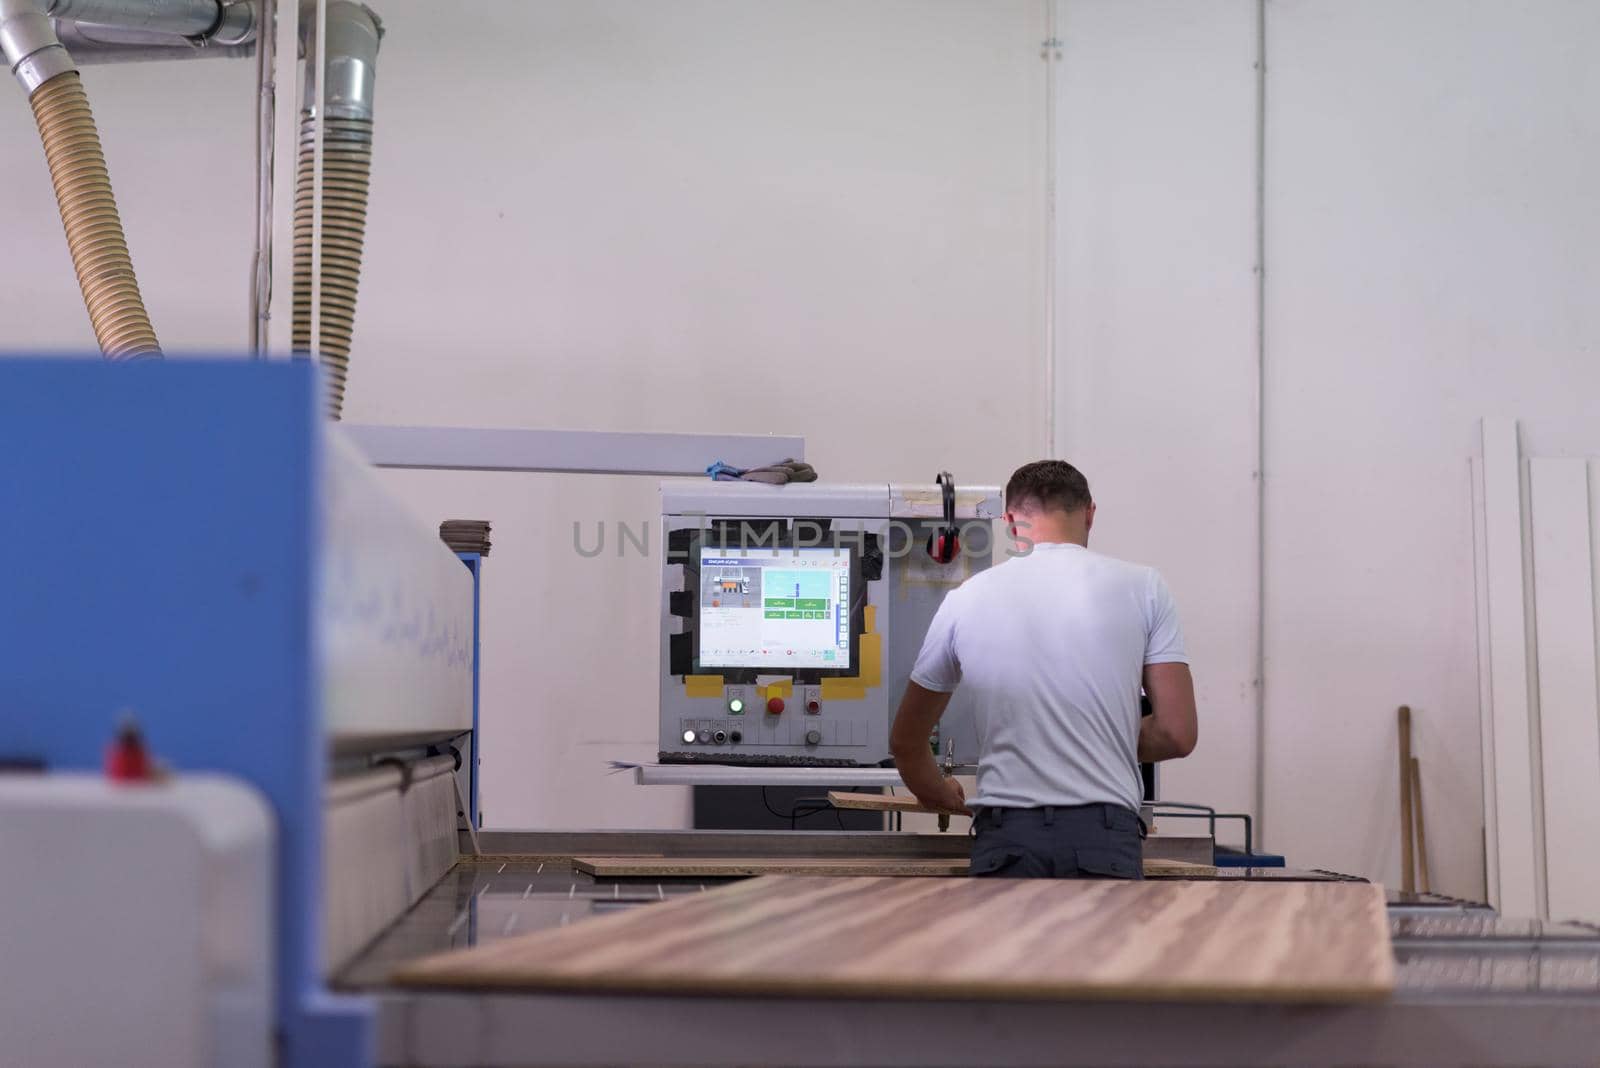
807 218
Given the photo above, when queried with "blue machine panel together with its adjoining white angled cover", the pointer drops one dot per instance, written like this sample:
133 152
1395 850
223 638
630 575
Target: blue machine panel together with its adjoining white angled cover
191 543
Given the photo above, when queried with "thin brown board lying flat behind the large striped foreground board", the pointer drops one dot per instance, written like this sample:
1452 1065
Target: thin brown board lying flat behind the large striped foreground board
738 867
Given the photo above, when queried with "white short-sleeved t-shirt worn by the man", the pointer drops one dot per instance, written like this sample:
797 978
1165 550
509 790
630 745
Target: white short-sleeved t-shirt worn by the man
1054 648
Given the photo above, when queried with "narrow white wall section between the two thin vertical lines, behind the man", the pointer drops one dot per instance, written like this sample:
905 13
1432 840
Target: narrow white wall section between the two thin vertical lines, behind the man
1156 332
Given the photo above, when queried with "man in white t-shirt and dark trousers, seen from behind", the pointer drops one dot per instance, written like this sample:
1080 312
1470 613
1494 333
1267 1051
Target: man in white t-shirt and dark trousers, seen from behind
1055 645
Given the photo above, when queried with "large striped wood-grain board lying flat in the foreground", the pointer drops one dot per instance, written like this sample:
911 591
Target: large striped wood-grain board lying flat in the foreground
969 939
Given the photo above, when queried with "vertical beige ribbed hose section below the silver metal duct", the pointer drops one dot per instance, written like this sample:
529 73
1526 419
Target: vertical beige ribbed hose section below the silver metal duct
346 175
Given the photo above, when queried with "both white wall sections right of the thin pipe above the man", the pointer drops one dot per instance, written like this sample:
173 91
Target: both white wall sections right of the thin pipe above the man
1431 215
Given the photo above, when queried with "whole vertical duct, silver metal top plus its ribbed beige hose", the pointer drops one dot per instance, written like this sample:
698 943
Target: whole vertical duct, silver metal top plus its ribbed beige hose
351 63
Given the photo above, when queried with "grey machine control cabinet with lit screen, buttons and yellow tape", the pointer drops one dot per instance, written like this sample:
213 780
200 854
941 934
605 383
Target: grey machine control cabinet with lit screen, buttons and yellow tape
793 616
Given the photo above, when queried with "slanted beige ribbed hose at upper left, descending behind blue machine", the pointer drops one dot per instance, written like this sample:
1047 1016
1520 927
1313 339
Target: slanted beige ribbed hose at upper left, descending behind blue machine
89 212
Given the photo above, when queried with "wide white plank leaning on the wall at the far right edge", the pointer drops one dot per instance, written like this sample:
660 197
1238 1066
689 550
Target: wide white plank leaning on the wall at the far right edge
1567 715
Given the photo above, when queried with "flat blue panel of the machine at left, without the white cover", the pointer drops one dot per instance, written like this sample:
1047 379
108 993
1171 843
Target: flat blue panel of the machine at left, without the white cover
161 532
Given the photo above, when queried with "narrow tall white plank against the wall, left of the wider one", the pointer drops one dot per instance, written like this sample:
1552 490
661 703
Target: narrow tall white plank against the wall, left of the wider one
1519 861
